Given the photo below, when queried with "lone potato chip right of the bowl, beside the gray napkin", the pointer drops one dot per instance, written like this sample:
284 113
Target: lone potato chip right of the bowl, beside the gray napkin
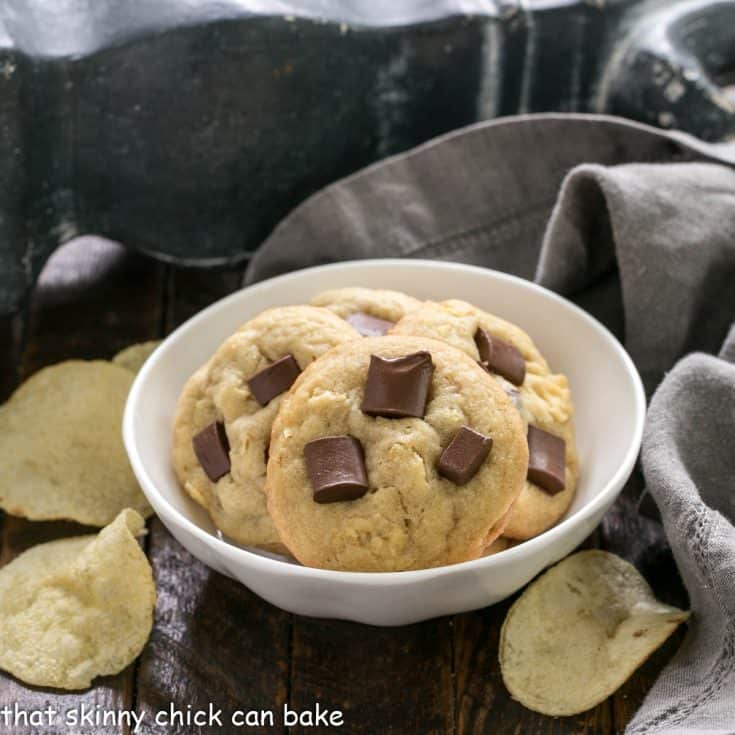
579 631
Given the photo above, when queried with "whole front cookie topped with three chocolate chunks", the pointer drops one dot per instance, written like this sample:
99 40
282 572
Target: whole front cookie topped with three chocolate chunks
364 446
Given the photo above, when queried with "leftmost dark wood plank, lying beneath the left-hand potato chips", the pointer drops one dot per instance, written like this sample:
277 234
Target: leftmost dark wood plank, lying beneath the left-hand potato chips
93 298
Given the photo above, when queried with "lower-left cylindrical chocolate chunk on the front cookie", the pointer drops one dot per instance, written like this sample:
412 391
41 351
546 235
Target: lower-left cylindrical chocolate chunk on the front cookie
336 469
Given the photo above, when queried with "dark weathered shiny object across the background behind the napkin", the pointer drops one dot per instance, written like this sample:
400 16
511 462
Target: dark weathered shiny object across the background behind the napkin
189 129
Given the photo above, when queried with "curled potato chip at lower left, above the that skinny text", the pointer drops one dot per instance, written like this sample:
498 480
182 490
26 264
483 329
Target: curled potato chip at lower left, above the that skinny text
74 609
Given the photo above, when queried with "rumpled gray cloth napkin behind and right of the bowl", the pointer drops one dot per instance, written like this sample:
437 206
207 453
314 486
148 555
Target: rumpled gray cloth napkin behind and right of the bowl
638 226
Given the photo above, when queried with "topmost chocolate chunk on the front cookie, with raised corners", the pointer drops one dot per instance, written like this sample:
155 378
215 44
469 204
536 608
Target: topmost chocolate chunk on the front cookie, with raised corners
398 386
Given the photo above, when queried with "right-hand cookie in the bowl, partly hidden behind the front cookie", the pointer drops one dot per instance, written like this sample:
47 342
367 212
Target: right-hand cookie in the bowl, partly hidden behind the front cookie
542 397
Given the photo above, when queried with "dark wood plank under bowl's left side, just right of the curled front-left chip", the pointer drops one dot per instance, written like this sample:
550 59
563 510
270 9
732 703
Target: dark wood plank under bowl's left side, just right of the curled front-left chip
213 640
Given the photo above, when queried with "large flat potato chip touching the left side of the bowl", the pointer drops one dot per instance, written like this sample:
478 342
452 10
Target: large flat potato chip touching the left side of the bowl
61 448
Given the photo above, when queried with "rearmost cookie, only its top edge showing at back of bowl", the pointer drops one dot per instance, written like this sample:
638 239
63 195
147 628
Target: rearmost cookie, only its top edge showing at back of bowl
371 311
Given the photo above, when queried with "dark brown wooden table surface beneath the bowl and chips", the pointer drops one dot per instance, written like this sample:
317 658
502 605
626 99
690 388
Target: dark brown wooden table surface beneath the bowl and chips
213 640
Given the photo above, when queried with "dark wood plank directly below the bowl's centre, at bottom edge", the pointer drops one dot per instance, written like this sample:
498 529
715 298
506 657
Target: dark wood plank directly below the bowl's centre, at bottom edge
384 680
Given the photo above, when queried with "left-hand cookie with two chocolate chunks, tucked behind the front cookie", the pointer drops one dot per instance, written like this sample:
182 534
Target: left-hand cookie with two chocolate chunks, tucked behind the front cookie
227 408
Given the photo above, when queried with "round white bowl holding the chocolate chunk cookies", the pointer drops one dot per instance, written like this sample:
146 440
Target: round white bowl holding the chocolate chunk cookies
610 409
